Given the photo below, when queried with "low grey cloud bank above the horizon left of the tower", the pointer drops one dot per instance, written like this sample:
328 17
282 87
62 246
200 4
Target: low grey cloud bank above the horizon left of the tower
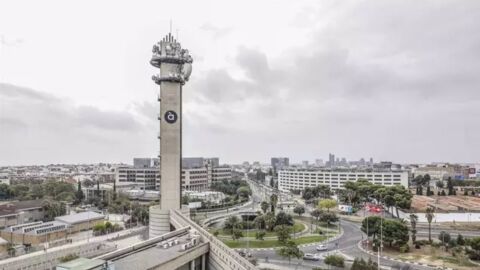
40 128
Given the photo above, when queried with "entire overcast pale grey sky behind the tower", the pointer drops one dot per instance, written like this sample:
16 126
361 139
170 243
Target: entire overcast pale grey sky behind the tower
392 80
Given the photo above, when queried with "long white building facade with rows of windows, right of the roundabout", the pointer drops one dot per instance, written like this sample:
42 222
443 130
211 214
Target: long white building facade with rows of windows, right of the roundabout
292 179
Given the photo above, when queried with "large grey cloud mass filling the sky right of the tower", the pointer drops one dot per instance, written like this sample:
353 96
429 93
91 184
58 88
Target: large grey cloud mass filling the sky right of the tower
387 79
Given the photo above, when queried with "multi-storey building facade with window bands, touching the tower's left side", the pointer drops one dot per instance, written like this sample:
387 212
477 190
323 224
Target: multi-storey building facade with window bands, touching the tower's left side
137 178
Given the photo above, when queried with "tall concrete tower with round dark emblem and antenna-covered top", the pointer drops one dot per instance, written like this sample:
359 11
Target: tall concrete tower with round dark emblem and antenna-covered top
175 66
